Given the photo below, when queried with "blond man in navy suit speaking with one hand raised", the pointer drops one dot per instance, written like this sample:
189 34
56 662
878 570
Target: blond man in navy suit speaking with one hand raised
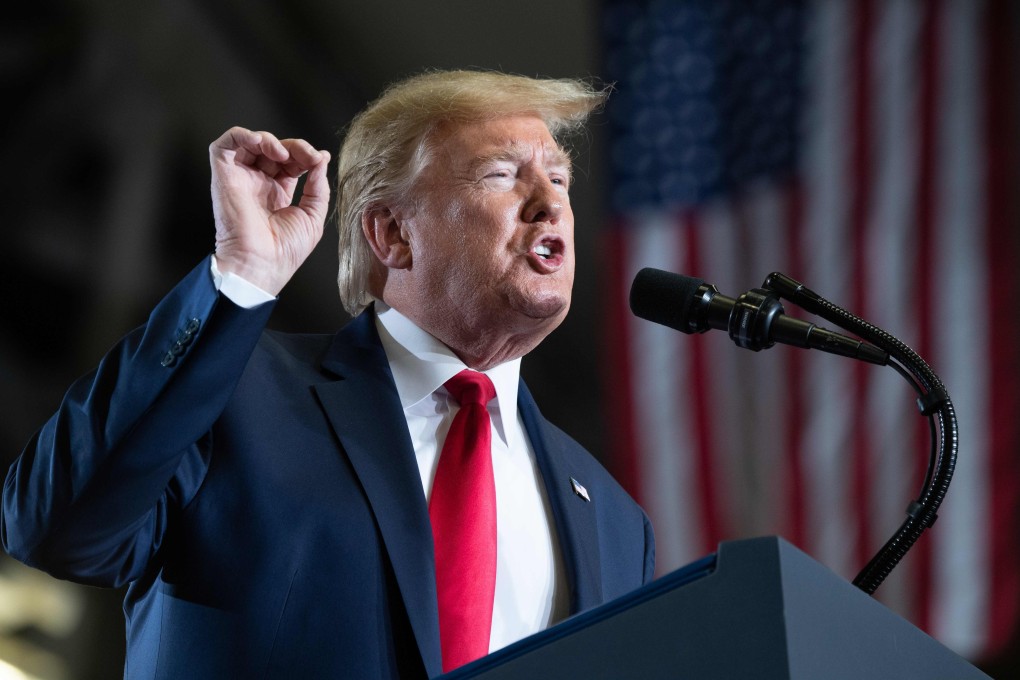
266 497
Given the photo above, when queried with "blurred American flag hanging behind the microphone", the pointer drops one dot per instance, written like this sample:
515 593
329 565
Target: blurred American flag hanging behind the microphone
863 148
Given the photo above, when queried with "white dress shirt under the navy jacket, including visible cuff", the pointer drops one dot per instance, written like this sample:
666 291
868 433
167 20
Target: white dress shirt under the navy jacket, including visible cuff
531 582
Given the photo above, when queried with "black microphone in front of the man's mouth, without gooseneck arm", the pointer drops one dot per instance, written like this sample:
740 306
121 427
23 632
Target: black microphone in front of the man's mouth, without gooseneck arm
756 321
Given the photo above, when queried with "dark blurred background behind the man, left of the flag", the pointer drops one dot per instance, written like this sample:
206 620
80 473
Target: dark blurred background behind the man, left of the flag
110 111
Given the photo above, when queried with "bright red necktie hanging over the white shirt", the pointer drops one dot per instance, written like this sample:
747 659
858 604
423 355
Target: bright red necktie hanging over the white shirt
463 510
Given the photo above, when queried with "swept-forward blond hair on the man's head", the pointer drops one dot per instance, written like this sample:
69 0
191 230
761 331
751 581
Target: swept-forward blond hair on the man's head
387 145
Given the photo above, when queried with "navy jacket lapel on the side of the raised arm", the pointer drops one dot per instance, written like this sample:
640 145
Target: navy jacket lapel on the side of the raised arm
366 413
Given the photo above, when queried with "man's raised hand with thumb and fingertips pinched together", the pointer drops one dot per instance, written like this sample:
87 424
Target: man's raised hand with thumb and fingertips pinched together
261 236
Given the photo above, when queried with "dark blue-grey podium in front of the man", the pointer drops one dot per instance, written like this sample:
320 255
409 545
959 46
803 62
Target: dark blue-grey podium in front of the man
757 609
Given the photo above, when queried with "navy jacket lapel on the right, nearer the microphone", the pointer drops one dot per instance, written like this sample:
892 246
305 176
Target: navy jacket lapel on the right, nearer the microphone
575 516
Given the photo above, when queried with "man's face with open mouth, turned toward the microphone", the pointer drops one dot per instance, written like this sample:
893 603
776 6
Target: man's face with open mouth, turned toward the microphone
492 233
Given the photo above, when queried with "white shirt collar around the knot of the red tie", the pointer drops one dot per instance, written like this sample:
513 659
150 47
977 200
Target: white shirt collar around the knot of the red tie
421 364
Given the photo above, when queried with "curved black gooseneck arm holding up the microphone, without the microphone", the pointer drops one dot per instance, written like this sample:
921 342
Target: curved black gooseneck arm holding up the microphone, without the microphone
934 402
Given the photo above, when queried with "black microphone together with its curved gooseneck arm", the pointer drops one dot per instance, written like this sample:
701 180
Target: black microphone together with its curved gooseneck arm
756 321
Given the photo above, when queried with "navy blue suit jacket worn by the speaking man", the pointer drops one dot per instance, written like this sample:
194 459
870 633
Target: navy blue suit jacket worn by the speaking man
259 494
